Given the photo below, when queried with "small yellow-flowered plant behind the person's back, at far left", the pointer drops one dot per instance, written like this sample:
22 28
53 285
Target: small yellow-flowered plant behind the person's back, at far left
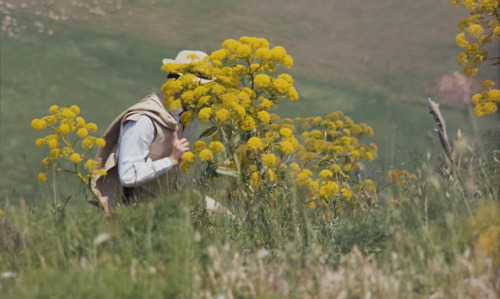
68 130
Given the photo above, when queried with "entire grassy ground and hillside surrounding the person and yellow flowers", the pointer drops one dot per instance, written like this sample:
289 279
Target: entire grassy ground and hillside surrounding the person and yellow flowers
436 236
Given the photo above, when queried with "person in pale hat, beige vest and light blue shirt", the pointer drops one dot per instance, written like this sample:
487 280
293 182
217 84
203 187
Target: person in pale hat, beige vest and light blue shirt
144 146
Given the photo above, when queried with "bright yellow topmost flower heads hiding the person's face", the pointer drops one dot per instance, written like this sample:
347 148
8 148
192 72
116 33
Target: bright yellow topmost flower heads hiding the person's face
242 89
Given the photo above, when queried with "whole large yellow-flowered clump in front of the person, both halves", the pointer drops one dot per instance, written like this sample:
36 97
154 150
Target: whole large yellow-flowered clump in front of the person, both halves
257 149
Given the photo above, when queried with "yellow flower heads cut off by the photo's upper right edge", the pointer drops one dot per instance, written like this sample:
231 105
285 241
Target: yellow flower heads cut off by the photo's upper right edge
479 30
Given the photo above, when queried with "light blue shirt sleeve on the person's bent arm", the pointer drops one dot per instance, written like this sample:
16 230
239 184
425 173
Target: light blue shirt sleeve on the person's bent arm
134 166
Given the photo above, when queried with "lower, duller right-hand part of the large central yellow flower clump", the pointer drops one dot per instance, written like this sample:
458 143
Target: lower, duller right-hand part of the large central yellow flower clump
329 146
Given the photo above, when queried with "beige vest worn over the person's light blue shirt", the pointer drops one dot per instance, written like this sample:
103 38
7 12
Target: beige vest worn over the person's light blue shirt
108 188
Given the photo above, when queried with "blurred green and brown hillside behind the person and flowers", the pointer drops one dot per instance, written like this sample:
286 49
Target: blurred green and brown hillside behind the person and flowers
377 61
